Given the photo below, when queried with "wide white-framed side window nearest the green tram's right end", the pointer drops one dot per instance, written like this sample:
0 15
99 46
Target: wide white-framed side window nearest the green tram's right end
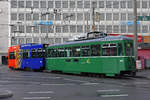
109 50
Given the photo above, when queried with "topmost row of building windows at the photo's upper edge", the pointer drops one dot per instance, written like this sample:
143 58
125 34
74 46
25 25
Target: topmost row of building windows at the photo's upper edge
78 4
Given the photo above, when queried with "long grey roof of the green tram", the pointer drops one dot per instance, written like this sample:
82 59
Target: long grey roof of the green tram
107 38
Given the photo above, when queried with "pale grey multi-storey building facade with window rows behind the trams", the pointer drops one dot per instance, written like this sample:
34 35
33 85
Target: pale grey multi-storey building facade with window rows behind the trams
56 21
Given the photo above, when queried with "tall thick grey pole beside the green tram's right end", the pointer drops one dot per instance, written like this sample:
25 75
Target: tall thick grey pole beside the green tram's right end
135 28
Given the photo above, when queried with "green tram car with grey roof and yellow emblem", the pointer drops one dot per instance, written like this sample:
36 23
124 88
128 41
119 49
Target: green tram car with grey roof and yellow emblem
108 56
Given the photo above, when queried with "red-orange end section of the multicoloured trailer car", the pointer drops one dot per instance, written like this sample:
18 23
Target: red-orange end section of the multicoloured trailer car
12 57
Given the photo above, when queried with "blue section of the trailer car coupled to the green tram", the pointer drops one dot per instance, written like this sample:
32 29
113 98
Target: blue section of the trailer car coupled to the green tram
33 56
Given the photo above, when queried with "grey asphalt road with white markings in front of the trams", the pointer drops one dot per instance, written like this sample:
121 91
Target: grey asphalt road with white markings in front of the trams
47 86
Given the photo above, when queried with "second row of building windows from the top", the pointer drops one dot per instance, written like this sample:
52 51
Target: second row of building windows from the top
73 16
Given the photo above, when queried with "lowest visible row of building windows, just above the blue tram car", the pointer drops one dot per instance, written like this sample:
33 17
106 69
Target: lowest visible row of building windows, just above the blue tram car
37 40
